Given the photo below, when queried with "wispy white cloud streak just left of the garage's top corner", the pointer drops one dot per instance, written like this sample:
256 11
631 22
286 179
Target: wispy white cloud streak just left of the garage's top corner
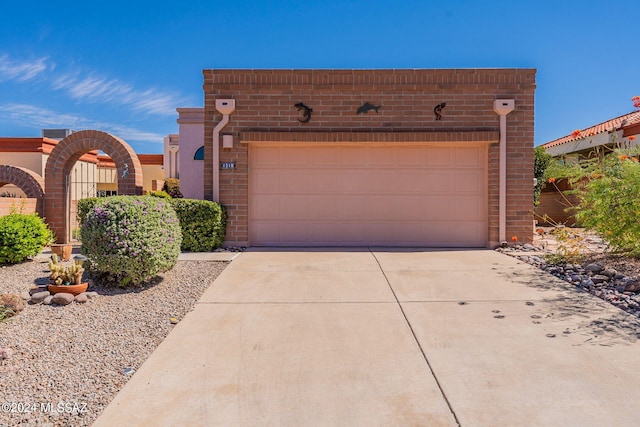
96 89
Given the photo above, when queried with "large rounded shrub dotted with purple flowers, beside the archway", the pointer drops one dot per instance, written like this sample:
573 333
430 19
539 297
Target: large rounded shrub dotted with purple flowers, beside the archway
130 239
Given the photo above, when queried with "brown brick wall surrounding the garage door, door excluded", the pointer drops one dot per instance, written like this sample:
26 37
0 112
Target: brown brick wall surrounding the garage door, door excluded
265 111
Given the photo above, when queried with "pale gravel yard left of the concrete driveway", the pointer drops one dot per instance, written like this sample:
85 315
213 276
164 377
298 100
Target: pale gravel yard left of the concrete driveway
68 362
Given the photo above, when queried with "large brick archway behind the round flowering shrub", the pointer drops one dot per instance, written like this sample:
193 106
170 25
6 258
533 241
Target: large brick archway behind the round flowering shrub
61 161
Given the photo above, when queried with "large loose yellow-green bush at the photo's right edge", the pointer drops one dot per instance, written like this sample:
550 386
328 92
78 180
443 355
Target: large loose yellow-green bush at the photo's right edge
610 204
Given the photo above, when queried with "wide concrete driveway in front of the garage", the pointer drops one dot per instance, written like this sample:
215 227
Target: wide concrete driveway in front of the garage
388 337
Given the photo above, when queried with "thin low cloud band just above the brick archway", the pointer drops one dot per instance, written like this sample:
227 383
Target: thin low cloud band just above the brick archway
30 115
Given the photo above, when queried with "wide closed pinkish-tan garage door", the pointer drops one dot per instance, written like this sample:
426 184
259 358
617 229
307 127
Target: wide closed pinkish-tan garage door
355 195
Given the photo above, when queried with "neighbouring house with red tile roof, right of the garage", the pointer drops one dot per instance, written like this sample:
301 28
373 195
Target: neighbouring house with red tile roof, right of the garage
597 140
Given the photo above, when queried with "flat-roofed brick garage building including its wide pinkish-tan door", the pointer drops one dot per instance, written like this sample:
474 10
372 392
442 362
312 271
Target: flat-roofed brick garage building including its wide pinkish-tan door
369 157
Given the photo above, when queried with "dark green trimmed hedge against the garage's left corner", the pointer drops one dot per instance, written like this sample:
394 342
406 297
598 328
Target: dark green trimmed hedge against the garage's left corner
203 224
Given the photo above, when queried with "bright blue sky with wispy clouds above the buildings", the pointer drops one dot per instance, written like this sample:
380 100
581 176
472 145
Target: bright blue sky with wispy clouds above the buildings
124 66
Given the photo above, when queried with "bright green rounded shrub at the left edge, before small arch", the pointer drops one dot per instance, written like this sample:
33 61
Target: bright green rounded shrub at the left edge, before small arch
22 236
